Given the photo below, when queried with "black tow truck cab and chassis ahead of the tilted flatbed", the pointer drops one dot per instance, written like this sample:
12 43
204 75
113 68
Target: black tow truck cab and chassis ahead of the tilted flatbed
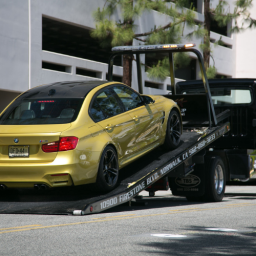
236 149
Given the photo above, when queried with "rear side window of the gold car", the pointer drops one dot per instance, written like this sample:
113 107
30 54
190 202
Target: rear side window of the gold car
105 105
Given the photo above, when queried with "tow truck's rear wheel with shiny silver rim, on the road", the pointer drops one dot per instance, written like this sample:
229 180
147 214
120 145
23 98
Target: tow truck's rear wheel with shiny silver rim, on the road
215 180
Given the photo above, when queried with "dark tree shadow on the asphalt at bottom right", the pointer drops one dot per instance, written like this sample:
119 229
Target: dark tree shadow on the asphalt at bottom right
203 242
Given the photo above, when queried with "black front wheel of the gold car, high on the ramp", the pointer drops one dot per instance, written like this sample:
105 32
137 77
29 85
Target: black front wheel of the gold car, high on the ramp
173 131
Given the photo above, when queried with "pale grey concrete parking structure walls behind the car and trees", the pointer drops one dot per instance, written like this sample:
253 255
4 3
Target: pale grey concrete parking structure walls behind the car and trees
14 39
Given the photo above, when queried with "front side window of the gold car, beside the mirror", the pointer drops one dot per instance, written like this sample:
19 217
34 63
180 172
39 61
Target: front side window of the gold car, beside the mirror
129 98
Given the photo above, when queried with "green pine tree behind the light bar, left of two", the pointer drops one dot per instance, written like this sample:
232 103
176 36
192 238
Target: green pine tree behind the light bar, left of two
122 32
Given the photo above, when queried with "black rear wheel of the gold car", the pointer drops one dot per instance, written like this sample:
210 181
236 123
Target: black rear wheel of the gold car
108 170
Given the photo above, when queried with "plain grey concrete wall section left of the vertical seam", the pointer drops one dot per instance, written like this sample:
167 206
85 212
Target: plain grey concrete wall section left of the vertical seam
14 45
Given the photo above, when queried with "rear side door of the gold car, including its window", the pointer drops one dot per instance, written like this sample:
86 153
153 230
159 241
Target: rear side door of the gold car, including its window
107 111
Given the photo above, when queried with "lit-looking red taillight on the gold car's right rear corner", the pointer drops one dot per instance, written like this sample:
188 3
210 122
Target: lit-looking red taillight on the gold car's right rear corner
64 144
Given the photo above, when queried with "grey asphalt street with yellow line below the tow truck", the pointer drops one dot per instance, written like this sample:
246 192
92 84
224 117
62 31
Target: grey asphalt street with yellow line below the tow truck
162 225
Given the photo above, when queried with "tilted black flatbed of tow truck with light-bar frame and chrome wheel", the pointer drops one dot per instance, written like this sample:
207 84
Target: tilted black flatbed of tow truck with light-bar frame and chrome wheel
201 128
